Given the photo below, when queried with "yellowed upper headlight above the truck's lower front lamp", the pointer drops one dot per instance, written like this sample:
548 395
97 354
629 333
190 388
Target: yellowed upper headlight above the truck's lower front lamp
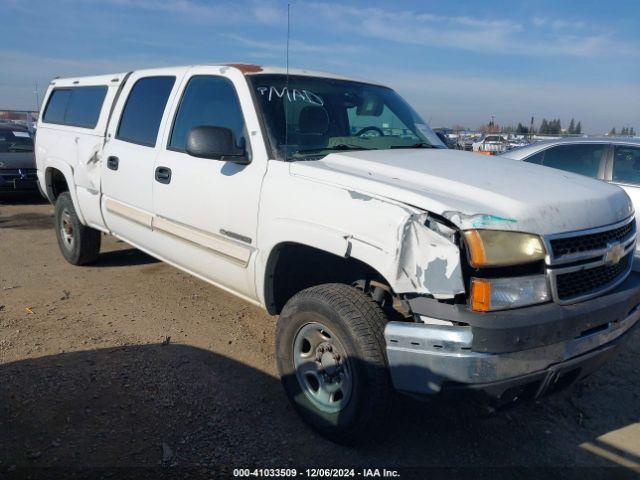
494 248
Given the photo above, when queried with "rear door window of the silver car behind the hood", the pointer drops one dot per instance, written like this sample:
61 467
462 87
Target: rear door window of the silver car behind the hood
583 159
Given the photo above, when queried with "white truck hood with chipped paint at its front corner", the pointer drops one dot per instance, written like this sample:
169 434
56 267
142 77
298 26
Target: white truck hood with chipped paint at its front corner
475 191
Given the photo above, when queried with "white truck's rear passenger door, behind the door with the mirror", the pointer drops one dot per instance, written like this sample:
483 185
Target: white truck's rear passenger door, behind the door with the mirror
131 146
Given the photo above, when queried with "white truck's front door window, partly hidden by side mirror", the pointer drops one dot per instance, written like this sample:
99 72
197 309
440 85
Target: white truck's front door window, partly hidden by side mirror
208 101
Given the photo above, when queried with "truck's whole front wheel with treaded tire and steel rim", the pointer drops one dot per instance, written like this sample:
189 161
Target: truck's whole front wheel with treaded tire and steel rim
357 362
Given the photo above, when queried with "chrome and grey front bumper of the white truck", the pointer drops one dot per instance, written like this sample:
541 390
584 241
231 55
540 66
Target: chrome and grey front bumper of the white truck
426 359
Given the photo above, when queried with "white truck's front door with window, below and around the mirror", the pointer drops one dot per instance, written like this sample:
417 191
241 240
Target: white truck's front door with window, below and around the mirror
207 209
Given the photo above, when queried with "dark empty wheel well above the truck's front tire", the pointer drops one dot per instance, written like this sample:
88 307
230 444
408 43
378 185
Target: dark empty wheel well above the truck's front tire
292 267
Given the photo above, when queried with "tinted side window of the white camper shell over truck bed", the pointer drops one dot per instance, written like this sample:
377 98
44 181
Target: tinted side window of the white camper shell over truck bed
77 106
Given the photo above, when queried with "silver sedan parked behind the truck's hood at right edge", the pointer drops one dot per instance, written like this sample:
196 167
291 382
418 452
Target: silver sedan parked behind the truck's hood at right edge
614 160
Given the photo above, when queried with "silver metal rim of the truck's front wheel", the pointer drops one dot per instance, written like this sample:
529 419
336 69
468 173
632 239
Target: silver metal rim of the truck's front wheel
322 367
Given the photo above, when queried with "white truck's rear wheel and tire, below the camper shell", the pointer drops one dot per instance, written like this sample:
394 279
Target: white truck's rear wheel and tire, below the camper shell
79 244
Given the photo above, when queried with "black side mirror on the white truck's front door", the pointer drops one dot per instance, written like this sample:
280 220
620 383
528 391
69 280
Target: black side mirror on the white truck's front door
217 143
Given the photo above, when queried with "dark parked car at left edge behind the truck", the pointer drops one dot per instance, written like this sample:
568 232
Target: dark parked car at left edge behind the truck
18 173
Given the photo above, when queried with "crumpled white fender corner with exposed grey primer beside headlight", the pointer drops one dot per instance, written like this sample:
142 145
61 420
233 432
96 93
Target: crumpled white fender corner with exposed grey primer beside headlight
427 261
